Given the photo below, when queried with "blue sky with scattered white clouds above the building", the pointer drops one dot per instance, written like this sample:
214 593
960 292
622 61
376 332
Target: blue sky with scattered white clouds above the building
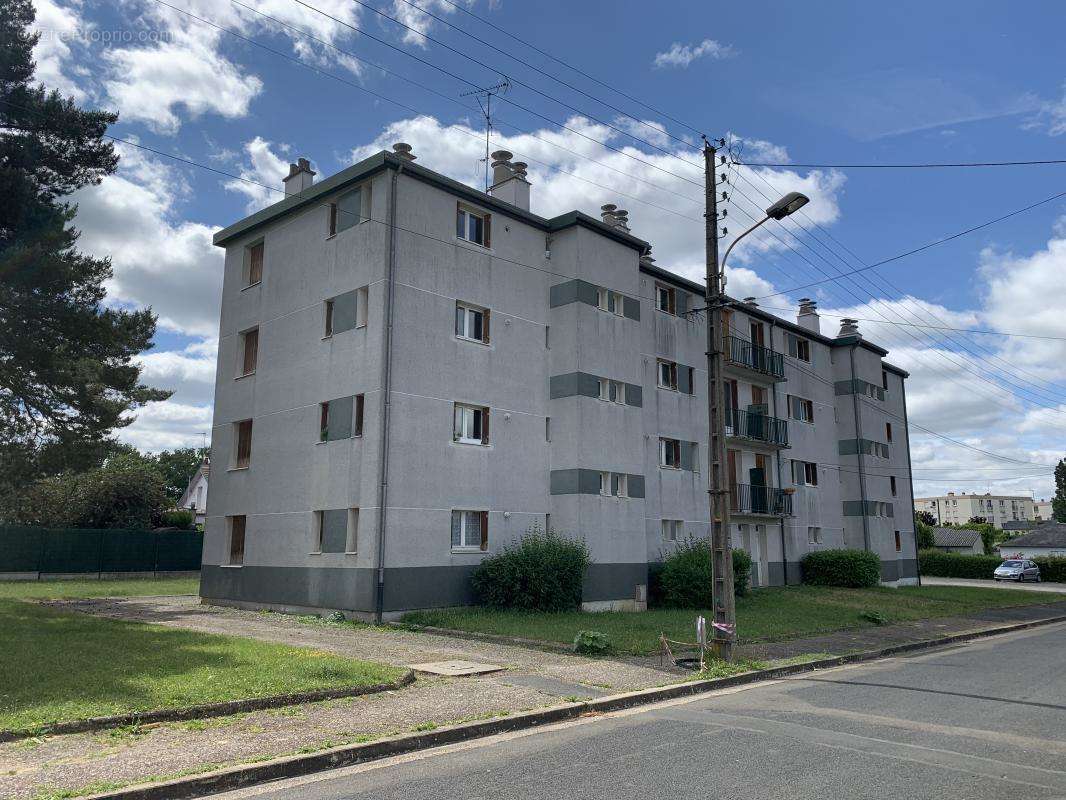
607 103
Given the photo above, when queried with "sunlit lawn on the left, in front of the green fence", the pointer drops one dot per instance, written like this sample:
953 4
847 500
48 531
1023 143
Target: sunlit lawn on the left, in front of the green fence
62 666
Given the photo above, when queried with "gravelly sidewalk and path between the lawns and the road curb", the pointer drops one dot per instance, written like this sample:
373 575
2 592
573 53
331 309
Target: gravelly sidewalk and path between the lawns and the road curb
532 679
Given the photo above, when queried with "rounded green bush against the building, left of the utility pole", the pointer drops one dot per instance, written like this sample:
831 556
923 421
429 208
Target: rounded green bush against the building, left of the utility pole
541 572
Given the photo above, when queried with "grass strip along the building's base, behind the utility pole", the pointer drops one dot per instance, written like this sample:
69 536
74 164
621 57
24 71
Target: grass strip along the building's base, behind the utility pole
765 615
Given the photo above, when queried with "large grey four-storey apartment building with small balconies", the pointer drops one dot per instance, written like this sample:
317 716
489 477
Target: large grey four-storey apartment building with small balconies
413 373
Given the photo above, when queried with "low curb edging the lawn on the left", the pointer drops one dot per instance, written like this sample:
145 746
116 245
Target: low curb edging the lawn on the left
206 711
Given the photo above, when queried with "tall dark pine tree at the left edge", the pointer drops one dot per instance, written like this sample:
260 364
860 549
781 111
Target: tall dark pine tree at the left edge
68 375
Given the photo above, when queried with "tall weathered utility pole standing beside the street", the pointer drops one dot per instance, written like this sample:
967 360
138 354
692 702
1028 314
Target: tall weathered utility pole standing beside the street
722 593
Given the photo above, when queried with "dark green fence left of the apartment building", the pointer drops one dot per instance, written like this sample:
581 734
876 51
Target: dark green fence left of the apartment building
78 551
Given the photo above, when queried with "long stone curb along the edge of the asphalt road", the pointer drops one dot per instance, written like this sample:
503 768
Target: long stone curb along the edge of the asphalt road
234 778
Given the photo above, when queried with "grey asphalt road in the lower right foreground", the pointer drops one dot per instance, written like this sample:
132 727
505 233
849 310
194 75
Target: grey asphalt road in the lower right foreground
981 721
